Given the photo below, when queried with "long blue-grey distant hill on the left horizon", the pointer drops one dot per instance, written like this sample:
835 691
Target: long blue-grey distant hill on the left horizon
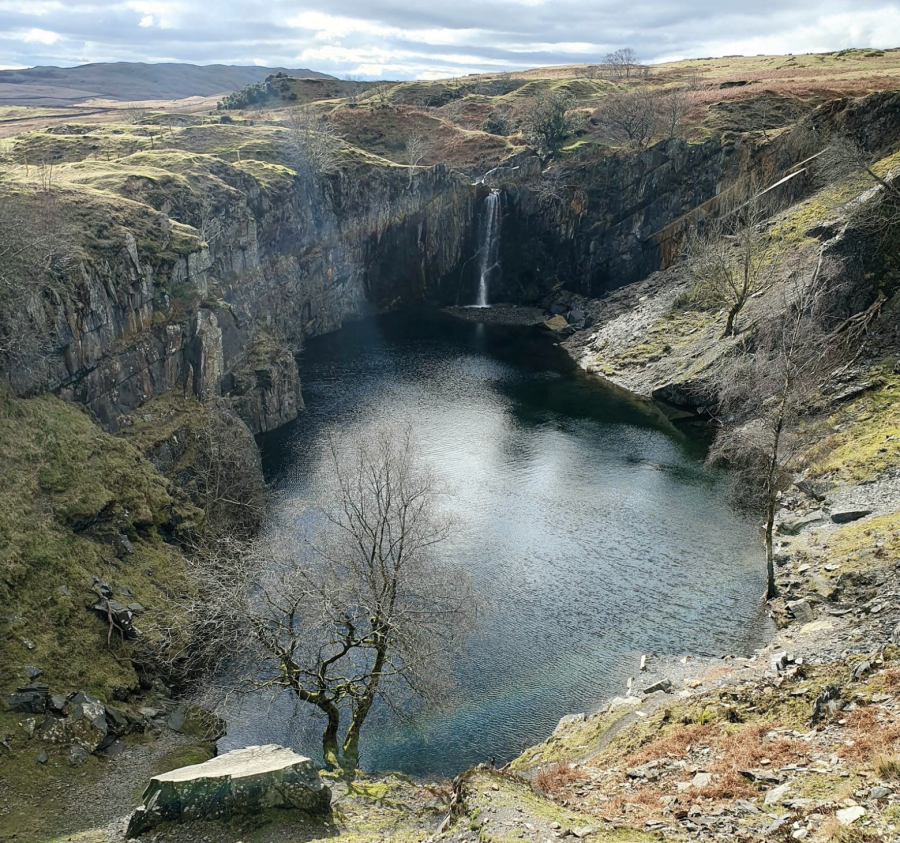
128 81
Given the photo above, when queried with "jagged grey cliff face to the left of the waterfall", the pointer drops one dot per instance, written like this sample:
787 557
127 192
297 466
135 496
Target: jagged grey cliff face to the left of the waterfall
218 309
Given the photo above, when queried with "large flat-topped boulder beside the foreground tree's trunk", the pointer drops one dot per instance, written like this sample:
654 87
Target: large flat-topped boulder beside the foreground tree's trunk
240 782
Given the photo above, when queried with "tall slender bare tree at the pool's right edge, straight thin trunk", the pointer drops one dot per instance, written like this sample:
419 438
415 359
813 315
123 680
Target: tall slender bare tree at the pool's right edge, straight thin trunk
765 392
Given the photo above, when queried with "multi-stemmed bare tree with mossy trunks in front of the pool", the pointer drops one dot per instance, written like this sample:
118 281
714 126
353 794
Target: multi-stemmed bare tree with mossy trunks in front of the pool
368 611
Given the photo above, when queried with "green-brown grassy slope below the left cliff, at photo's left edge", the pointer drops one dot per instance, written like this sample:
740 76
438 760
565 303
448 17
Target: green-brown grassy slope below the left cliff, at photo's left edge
67 488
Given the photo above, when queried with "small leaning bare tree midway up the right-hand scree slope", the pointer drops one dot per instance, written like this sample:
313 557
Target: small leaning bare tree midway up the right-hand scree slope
732 257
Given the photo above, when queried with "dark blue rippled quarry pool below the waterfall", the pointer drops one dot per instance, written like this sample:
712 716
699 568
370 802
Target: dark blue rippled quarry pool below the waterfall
589 523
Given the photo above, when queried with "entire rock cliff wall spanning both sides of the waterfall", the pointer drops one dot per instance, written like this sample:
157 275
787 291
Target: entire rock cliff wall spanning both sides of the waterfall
205 276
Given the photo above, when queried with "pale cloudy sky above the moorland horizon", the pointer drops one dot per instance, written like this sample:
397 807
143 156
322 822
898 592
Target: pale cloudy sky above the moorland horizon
408 39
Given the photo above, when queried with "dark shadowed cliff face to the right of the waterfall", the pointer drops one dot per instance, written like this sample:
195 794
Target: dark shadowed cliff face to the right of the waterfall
599 225
